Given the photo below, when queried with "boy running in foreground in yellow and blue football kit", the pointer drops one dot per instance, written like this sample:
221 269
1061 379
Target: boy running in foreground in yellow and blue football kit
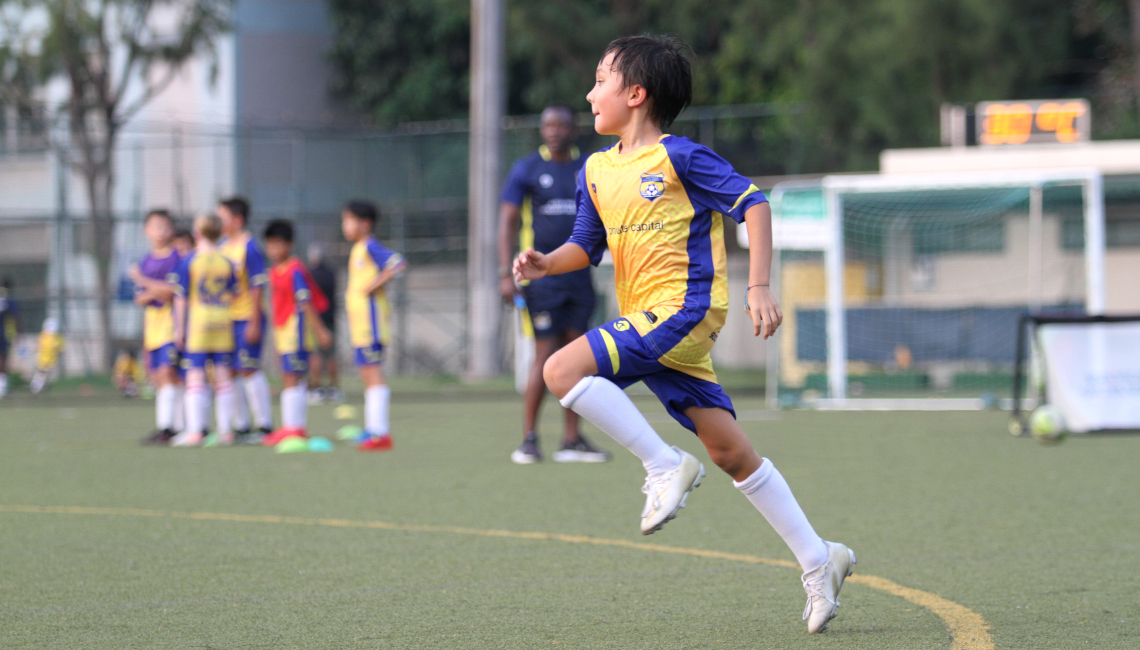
657 201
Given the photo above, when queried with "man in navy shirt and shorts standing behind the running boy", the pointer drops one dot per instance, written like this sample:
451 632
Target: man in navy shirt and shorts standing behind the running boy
541 192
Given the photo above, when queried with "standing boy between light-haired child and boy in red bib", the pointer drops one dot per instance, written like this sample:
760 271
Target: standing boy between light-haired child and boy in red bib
253 396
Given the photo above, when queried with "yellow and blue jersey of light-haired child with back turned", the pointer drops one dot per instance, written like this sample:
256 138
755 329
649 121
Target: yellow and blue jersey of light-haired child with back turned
208 282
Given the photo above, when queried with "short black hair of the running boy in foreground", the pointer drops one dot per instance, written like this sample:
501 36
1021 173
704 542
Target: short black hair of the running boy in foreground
658 66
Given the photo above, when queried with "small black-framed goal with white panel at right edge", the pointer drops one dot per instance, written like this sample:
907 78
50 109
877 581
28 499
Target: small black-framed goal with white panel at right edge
1089 368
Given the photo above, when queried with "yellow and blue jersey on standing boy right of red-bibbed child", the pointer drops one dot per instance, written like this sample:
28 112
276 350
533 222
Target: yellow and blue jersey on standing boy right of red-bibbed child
369 313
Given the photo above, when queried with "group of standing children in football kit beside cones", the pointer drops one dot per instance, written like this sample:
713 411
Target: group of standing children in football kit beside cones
205 324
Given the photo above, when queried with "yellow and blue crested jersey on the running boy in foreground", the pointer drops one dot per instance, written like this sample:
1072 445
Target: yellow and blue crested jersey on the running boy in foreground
659 212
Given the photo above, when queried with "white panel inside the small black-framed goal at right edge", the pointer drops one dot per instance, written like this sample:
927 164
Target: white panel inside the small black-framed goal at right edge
1093 372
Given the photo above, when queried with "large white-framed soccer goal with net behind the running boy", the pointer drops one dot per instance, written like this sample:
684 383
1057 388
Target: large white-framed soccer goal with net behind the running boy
906 291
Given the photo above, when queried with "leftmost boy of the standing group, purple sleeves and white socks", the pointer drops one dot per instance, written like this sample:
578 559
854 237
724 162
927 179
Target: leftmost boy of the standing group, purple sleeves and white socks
157 296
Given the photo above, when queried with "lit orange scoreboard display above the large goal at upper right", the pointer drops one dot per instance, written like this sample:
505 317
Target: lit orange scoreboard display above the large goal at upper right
1039 121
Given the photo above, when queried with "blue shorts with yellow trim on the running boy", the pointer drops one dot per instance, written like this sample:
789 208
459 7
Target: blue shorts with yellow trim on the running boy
625 357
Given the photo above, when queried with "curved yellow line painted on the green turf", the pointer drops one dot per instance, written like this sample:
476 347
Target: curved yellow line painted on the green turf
968 631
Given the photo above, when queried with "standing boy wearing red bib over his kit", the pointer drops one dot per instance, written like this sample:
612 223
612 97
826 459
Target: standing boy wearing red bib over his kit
297 305
